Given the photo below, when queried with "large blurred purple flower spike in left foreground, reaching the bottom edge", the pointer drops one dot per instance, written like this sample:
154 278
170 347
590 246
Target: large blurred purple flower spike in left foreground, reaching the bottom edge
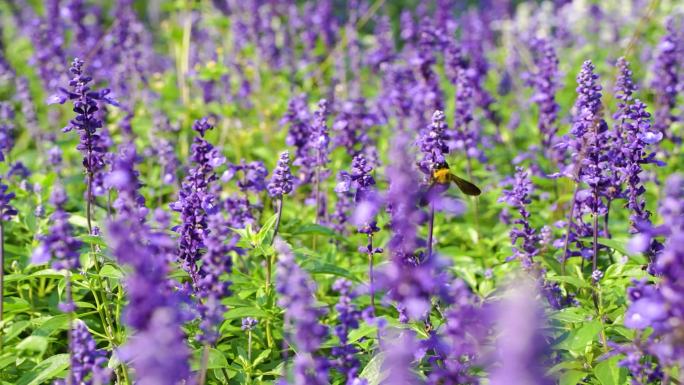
157 351
